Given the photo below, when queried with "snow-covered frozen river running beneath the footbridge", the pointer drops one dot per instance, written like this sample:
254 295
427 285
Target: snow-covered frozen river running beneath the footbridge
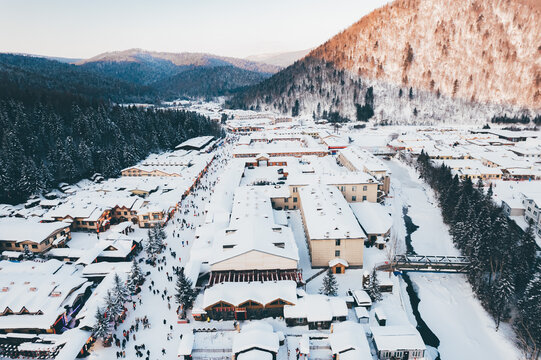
448 305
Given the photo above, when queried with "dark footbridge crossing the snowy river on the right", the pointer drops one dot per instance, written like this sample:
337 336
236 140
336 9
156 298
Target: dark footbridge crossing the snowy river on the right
428 263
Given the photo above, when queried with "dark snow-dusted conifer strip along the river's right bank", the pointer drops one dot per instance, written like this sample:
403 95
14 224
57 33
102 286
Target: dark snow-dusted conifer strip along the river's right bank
505 273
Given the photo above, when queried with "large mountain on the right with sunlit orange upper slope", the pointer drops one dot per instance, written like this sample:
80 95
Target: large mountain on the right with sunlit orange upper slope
418 61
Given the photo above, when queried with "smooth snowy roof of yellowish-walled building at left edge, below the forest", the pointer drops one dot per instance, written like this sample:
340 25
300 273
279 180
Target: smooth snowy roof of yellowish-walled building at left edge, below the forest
19 230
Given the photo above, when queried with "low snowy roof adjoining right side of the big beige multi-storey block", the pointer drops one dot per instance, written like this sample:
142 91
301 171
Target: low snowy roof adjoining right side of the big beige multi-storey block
373 217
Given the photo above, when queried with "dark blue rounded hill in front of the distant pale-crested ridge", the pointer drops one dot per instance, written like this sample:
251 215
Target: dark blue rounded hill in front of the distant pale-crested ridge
213 81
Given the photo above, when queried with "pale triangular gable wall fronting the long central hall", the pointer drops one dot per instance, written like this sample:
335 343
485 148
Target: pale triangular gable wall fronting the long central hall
255 260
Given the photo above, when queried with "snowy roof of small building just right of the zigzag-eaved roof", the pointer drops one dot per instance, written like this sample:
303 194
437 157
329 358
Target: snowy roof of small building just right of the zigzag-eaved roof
315 307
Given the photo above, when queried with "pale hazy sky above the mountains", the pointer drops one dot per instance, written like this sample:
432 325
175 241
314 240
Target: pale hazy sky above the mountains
84 28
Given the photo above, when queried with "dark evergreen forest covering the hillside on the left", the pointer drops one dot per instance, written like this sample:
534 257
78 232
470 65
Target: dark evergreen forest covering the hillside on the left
60 124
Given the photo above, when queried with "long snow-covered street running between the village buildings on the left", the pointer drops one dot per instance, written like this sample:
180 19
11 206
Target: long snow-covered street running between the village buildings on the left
156 301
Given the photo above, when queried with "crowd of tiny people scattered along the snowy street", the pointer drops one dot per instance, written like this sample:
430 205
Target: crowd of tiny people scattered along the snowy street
160 276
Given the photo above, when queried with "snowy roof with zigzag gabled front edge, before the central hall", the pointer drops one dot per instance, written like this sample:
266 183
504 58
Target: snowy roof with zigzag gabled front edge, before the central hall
261 292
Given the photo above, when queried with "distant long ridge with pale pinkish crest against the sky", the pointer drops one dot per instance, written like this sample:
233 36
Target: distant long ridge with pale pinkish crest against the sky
145 67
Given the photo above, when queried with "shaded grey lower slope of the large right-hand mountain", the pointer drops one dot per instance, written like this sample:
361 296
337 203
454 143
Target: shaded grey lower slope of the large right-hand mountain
317 88
